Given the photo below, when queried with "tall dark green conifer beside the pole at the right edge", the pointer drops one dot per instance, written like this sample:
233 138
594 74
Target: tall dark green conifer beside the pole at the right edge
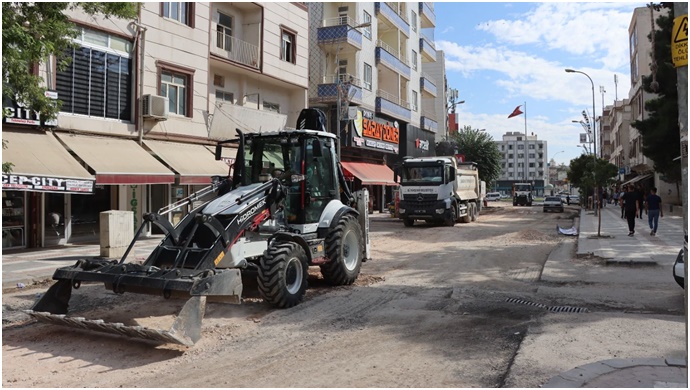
660 130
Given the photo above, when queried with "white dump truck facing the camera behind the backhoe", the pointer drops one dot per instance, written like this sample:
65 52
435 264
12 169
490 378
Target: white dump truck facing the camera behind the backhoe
438 190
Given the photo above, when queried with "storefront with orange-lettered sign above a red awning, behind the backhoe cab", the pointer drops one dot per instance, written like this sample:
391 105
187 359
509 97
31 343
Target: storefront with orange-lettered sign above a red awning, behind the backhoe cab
371 142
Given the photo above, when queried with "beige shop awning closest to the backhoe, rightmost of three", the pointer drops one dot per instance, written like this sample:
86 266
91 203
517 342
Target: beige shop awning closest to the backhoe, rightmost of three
194 163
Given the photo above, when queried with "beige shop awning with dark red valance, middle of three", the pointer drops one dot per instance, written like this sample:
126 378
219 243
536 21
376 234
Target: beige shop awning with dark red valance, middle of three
118 161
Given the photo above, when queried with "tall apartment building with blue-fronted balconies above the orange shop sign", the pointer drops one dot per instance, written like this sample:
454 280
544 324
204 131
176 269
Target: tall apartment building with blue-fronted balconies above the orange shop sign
367 72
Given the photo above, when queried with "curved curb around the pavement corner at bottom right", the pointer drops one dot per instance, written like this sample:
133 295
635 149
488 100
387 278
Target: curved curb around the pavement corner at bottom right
580 376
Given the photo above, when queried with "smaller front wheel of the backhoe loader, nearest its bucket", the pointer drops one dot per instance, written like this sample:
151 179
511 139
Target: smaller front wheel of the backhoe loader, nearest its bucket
283 274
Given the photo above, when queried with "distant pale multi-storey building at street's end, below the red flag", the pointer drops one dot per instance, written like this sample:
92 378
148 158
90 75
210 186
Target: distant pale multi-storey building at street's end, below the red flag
523 159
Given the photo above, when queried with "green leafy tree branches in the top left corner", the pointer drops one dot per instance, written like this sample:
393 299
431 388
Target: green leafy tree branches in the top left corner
32 31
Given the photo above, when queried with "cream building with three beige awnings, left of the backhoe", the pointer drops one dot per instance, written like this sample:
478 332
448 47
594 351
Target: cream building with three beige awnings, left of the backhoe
199 70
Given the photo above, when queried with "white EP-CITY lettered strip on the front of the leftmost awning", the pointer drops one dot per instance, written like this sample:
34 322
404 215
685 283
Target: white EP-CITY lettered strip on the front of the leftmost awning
46 184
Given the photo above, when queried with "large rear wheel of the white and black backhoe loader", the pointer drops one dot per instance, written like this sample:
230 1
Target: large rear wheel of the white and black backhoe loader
344 249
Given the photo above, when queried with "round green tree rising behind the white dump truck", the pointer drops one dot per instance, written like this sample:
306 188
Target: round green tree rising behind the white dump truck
479 147
